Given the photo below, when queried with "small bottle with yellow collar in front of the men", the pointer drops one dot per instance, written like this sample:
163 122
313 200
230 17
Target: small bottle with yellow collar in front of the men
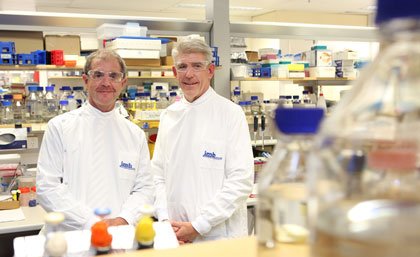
145 234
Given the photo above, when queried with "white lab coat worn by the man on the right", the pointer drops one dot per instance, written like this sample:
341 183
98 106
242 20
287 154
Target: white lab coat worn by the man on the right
203 166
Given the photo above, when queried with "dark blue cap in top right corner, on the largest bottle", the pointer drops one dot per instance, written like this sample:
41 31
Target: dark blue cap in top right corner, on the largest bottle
391 9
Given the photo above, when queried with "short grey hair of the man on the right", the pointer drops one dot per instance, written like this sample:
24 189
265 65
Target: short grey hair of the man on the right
192 45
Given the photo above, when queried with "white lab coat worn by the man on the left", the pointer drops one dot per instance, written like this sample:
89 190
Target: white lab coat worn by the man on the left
90 159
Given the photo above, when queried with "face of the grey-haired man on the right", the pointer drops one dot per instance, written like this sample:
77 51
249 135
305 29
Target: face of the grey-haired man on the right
194 74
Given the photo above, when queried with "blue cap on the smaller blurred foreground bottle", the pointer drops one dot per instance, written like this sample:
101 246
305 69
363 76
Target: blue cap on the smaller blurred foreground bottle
299 120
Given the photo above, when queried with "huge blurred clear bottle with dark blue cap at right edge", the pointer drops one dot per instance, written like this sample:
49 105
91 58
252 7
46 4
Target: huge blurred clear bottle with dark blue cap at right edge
365 188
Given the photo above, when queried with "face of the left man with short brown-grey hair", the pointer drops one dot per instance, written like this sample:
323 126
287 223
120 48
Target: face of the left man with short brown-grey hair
104 83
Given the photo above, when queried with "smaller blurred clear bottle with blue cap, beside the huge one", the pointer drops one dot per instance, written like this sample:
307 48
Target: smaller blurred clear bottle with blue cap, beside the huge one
281 207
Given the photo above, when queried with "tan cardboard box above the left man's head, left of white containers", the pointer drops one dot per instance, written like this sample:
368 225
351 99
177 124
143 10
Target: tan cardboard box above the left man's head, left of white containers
70 44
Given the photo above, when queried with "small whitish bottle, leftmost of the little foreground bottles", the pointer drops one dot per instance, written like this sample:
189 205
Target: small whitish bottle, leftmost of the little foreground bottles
55 241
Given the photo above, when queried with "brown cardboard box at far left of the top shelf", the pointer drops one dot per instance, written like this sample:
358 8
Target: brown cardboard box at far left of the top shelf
25 41
